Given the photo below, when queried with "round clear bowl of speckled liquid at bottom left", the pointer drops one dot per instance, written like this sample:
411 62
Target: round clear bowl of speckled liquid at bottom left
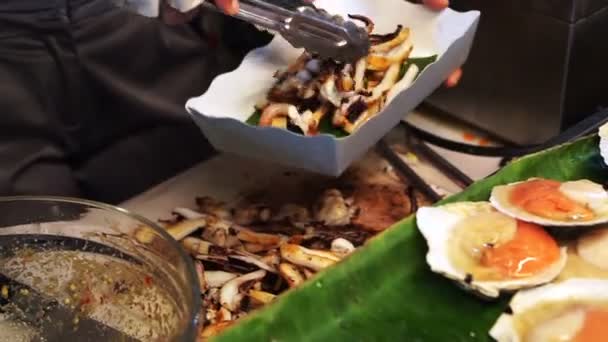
73 269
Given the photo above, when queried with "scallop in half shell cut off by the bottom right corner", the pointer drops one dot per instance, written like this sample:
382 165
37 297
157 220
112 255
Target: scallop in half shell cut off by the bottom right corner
574 310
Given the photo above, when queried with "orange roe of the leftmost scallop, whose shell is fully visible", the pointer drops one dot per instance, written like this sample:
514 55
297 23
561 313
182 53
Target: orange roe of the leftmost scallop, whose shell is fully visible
530 251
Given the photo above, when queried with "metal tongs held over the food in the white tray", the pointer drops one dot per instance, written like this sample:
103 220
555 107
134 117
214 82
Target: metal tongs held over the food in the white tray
305 26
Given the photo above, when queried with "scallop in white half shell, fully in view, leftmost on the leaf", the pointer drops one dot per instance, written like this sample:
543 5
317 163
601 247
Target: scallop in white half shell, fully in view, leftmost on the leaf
487 251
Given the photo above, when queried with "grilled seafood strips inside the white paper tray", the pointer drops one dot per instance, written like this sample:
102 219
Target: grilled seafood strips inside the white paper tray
347 95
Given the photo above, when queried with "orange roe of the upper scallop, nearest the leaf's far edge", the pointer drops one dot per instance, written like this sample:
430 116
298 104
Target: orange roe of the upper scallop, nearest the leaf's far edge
542 197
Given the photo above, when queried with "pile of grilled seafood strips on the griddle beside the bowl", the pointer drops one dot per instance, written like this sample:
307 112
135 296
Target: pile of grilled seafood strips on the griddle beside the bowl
247 255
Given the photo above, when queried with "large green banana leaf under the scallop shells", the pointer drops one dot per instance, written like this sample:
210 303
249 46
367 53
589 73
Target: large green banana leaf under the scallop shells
386 292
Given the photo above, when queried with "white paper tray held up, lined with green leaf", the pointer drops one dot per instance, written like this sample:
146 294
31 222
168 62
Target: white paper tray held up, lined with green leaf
222 111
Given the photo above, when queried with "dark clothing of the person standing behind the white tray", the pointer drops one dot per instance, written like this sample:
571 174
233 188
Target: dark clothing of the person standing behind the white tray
92 98
